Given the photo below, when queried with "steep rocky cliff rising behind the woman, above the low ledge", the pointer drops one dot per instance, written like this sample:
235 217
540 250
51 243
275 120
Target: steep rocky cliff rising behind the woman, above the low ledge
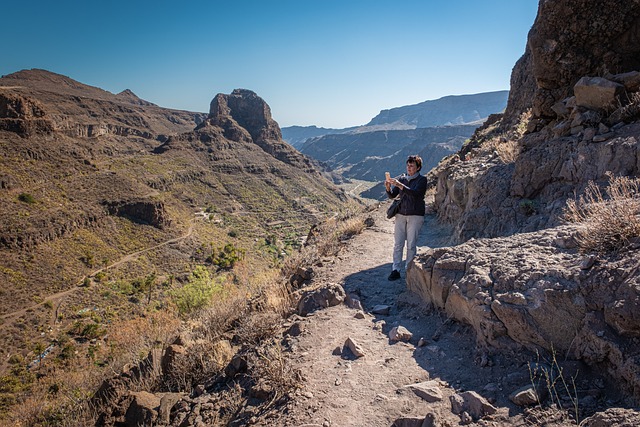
566 123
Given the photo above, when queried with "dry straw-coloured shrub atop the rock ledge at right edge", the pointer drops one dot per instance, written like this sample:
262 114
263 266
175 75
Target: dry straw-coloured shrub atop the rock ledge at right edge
607 220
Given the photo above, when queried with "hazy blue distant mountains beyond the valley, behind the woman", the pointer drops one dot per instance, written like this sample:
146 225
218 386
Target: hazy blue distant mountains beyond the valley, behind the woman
433 129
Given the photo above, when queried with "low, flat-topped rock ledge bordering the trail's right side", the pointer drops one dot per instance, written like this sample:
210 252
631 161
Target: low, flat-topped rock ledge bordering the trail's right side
535 290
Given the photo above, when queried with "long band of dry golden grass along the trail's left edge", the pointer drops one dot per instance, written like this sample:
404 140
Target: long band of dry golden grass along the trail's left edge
251 307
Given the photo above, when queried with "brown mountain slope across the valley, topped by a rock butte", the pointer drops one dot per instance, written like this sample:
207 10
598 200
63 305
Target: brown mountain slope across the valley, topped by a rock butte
88 178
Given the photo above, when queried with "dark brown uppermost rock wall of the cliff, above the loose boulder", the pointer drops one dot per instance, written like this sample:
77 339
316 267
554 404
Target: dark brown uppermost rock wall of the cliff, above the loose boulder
571 39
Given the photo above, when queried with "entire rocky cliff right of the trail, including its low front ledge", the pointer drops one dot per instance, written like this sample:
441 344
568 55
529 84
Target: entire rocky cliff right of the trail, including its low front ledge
572 118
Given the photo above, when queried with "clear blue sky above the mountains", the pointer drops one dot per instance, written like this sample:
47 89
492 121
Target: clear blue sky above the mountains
330 63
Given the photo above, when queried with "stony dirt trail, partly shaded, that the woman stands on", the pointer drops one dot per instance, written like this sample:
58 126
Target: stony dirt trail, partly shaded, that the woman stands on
341 390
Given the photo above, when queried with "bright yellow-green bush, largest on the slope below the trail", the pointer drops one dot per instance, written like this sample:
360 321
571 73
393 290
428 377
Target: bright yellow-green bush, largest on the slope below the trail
197 293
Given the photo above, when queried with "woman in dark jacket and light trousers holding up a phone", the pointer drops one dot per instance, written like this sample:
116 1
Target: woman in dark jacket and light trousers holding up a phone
409 219
